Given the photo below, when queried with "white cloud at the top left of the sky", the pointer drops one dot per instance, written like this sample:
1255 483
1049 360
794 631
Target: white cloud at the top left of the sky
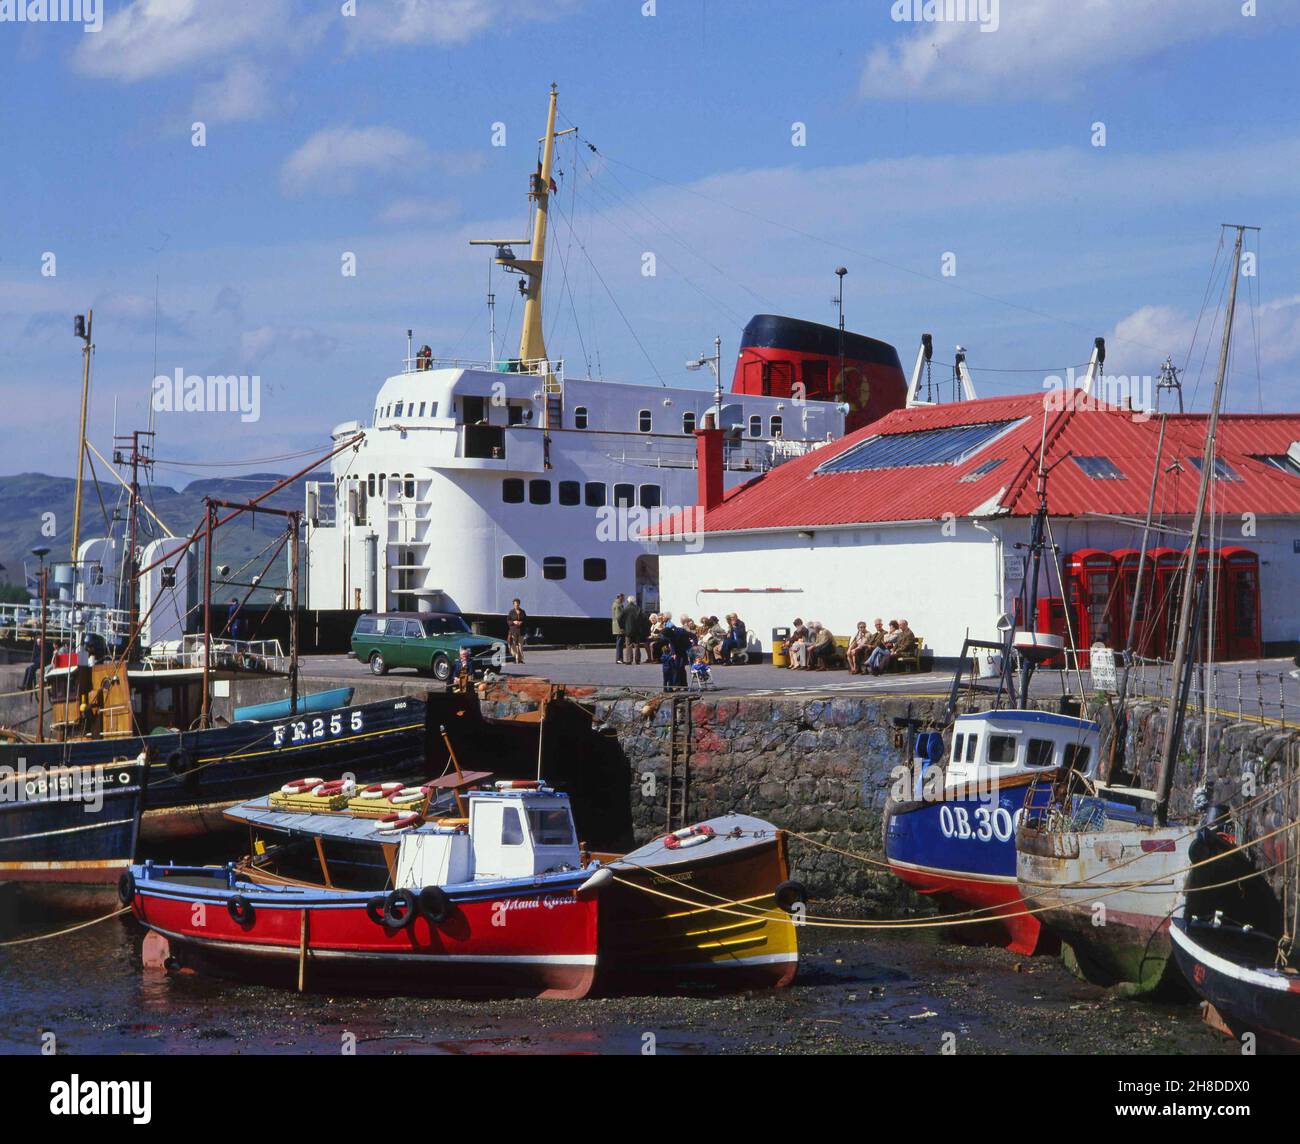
154 38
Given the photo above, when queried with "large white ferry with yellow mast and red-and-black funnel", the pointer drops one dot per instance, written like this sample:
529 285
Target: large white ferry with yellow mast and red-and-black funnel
475 483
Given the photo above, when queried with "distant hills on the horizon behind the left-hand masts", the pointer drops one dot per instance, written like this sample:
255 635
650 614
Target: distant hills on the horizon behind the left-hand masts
27 499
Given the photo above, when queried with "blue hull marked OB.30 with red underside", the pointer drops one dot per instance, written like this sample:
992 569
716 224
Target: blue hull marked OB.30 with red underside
963 851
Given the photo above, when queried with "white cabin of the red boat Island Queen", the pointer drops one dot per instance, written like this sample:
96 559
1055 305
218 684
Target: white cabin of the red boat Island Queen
513 833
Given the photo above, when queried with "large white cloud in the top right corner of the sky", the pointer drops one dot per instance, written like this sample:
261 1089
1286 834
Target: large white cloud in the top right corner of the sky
1046 49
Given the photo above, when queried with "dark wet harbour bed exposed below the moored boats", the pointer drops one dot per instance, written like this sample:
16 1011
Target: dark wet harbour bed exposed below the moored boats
855 994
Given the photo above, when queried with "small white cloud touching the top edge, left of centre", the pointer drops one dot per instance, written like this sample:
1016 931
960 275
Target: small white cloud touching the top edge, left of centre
448 21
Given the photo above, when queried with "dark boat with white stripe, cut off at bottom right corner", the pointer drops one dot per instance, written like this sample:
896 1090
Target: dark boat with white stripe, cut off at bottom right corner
1236 970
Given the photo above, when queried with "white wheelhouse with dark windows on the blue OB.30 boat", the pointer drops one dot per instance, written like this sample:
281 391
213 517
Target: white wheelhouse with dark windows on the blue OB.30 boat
996 746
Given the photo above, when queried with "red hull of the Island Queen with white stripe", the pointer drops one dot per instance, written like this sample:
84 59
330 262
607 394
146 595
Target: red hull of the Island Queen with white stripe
523 942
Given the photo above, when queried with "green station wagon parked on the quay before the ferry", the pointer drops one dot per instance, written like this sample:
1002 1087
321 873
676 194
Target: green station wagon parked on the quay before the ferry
427 642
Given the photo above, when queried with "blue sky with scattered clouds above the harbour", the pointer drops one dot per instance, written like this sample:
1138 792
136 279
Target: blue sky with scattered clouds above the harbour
955 167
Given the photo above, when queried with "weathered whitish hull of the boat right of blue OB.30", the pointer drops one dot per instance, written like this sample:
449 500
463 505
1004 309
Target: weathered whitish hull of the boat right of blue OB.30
1110 896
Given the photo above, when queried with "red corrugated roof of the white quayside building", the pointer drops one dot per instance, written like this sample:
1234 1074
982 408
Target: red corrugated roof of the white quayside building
798 496
